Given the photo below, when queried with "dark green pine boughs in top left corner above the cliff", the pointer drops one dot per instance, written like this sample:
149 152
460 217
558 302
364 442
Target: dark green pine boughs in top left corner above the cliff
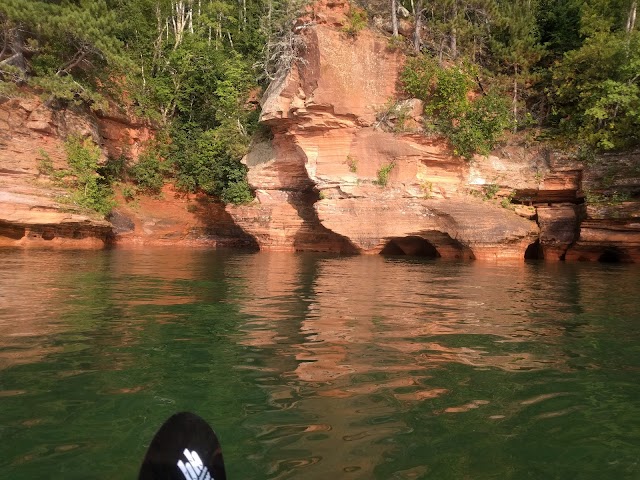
63 46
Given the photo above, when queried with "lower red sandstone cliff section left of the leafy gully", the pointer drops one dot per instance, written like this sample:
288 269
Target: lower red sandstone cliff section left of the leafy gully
32 207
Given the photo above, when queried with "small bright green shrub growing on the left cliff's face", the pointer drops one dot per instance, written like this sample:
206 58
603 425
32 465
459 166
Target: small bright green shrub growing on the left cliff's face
88 188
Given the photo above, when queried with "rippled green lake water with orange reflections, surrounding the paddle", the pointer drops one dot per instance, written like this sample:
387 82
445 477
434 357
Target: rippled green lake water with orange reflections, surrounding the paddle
311 366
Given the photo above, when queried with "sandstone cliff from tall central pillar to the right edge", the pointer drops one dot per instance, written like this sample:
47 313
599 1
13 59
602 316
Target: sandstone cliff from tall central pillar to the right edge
332 178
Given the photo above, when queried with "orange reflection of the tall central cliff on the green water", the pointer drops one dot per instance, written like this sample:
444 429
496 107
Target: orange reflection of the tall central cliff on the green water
368 335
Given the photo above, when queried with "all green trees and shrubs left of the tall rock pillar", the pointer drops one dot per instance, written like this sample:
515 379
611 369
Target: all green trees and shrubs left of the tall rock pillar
190 72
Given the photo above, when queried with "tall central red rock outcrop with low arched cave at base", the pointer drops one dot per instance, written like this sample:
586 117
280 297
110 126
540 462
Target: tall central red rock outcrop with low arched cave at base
325 117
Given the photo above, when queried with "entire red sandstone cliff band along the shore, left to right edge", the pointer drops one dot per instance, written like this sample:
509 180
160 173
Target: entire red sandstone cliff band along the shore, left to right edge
339 172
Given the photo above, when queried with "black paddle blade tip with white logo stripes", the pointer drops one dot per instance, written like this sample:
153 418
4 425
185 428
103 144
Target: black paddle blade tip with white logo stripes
185 448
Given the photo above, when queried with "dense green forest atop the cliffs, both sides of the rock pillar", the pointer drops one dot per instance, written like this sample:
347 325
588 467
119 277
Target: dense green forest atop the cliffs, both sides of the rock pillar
568 67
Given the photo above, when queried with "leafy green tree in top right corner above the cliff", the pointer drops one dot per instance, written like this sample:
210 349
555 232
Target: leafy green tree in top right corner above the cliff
596 88
